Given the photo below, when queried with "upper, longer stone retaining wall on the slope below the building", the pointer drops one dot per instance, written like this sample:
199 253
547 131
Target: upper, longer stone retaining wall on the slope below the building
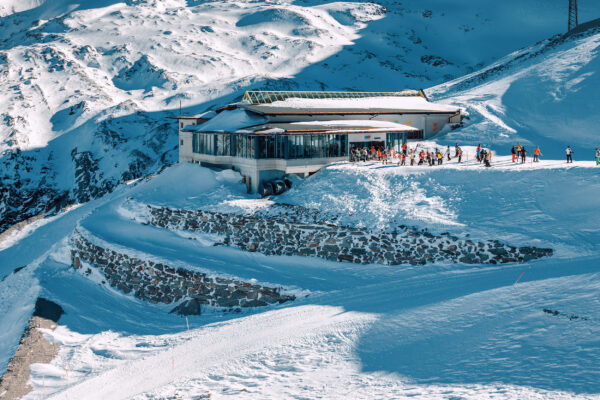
280 236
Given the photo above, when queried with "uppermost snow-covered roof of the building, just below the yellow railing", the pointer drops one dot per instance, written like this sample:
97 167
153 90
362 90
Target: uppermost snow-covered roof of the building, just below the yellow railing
366 105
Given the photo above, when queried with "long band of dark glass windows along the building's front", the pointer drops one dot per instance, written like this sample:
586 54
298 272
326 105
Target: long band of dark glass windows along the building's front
270 146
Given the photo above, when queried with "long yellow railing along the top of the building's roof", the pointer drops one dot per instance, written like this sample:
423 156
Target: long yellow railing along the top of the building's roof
269 96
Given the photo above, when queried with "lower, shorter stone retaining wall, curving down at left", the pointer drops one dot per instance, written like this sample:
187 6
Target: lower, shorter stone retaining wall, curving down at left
160 283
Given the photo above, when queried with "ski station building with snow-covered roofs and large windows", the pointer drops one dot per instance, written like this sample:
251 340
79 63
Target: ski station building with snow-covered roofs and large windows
271 134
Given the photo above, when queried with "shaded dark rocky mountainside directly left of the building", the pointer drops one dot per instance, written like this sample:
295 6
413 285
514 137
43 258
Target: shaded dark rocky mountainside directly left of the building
28 179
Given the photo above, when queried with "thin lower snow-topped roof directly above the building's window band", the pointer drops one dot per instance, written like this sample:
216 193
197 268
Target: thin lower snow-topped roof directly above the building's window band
317 127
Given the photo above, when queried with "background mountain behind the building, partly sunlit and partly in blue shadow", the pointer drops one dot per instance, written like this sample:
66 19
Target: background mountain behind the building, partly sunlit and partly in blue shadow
86 86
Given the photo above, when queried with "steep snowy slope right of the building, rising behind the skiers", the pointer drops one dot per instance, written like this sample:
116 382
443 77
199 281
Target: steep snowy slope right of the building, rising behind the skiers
545 95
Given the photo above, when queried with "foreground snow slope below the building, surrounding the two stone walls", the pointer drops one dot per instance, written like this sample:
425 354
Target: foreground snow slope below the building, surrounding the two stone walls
355 331
